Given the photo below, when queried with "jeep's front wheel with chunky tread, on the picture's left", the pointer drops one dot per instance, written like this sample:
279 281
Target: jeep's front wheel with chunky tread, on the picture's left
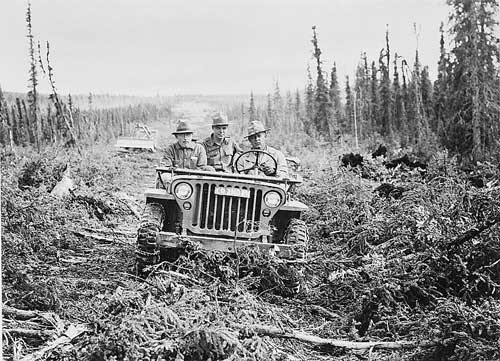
147 251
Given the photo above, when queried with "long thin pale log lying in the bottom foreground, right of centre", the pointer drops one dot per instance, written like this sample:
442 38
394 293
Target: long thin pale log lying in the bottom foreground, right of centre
271 331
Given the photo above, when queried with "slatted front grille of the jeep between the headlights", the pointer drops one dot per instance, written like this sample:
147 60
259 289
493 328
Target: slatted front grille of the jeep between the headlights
225 214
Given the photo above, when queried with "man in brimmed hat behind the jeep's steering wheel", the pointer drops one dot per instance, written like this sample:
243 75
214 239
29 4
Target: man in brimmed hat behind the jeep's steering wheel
257 136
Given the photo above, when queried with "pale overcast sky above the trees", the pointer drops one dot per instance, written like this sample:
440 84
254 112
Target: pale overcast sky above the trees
208 46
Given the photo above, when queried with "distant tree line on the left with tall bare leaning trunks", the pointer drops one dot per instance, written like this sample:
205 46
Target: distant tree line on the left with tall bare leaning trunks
39 120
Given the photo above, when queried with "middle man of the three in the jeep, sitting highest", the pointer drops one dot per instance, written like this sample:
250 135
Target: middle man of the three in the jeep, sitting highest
220 148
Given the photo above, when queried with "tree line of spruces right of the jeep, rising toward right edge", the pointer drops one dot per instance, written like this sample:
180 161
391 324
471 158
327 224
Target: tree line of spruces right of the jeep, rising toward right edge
394 98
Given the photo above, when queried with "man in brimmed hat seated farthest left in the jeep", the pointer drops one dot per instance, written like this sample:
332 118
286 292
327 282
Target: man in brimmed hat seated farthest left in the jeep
185 153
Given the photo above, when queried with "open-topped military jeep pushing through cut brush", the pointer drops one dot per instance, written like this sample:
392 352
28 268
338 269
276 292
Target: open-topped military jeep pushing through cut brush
220 211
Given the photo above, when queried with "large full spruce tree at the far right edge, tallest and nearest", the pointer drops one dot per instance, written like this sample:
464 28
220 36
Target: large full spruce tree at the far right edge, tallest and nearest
472 127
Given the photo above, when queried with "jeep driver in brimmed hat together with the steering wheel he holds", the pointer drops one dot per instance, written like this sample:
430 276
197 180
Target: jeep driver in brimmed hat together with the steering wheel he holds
263 159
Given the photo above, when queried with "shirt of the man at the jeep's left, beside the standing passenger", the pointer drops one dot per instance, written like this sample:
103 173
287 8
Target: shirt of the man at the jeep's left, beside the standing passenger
191 157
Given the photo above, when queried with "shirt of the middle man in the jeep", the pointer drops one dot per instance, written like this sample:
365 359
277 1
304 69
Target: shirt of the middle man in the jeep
221 156
